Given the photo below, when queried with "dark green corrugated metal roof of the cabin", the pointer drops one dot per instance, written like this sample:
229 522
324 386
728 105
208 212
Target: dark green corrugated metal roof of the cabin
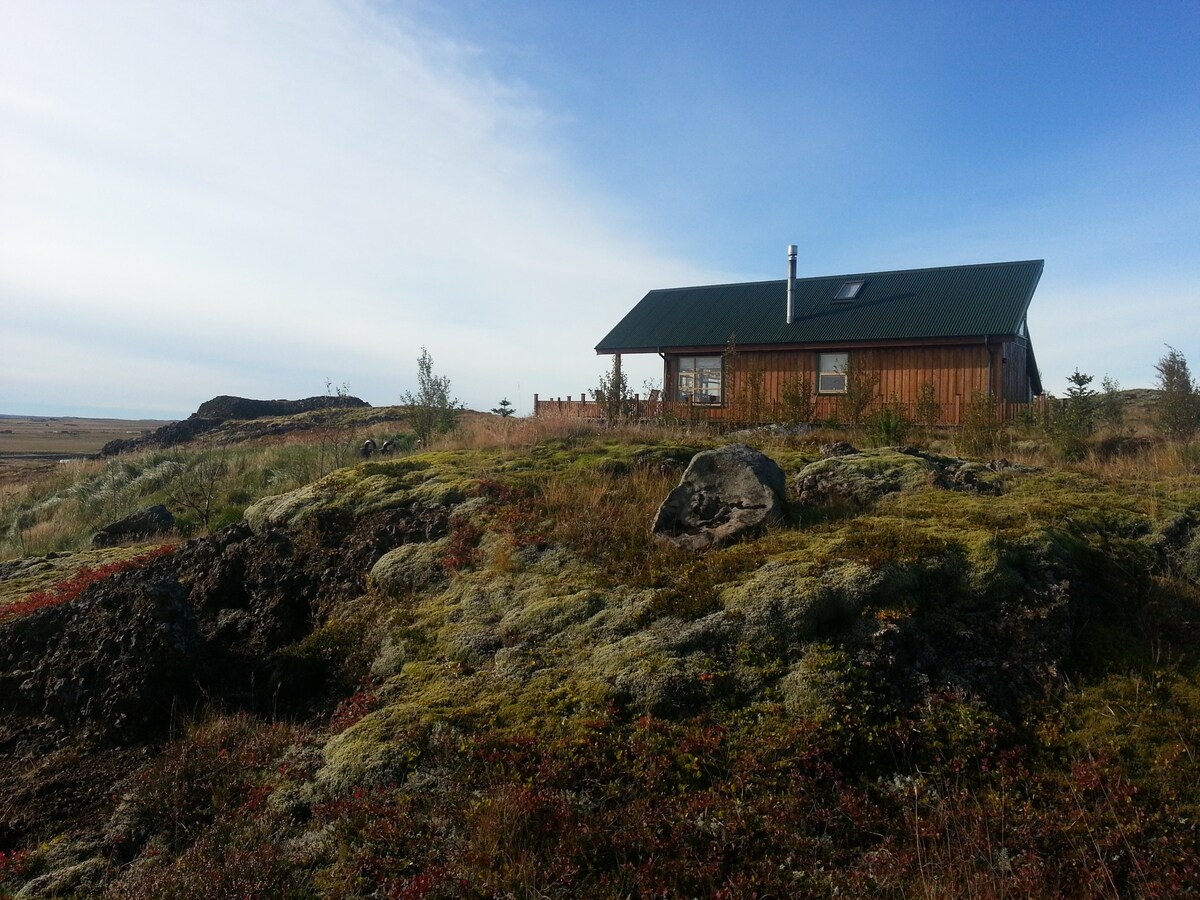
911 304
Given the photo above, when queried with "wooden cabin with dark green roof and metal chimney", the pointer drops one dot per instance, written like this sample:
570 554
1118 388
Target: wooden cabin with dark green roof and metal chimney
760 352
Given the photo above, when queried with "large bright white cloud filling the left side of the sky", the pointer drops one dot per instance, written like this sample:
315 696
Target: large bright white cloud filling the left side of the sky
251 199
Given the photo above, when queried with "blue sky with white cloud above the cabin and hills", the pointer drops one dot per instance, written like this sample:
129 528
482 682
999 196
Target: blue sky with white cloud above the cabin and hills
286 199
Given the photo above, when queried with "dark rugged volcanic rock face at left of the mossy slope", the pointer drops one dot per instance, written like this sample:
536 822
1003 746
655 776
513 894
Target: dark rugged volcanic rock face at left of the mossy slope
218 620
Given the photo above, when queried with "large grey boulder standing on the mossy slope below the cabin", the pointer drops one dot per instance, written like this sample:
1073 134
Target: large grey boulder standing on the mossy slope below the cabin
725 495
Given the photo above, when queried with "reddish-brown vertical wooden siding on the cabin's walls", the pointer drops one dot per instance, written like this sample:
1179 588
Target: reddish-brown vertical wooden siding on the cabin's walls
754 382
